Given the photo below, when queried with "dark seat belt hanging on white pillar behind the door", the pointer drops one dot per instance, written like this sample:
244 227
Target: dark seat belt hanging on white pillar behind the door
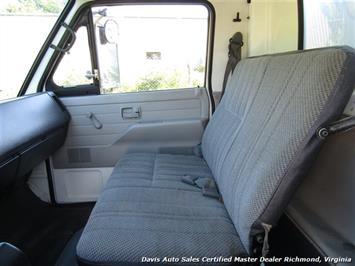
234 56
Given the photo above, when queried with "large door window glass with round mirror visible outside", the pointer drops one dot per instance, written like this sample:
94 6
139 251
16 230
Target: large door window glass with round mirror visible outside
151 47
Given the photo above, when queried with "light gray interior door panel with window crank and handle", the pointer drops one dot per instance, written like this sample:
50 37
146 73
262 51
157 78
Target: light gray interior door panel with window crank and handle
170 121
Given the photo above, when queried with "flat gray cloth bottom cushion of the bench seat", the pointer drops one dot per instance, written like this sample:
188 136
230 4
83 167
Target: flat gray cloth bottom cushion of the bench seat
145 211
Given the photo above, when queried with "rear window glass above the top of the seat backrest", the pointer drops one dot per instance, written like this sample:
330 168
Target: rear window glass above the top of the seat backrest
329 23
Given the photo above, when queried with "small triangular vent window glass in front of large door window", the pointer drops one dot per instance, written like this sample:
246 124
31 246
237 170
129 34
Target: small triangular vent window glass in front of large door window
75 67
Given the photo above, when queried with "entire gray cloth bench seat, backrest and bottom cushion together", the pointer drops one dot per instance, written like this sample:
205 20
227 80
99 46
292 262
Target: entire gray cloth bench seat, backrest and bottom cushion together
257 145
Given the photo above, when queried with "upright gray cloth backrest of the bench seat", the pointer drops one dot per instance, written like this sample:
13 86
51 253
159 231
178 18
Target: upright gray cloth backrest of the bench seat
262 137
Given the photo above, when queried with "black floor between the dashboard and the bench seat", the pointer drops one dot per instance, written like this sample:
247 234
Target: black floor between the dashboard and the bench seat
37 228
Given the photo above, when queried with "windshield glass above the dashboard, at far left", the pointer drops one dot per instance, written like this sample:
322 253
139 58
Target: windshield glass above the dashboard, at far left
24 26
